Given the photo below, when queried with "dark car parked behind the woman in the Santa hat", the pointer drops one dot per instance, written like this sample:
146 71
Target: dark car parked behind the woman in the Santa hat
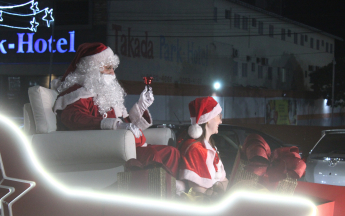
228 140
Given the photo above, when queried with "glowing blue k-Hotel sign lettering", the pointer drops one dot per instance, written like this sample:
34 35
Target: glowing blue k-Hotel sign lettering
27 44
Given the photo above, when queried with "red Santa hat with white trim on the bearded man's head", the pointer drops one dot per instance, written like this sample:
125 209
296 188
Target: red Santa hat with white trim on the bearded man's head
96 52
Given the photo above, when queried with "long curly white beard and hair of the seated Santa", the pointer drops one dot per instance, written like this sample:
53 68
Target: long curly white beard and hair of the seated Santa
109 92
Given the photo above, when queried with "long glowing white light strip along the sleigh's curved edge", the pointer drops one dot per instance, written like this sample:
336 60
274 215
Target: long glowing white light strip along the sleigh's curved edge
151 203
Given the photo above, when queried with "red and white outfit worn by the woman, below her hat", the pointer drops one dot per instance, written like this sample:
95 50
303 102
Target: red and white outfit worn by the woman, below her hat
200 164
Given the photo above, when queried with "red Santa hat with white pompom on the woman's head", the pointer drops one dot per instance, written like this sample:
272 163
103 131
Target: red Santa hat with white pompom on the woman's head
201 111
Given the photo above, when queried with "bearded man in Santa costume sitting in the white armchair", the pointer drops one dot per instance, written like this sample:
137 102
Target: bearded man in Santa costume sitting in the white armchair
91 98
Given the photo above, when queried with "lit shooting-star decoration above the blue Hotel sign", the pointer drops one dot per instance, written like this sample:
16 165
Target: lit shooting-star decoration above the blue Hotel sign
35 11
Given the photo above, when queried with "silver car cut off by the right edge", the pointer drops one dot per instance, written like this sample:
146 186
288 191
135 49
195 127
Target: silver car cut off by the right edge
326 160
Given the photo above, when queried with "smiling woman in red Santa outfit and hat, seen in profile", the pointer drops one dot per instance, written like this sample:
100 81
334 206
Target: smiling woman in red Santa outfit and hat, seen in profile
200 165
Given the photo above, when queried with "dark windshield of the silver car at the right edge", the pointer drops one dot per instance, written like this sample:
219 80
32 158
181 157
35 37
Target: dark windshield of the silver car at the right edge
331 143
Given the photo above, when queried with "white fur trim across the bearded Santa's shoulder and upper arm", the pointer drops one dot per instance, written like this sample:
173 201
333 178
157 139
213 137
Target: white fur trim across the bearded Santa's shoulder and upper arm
63 101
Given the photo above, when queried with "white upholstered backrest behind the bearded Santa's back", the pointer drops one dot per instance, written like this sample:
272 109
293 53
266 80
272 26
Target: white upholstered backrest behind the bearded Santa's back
42 101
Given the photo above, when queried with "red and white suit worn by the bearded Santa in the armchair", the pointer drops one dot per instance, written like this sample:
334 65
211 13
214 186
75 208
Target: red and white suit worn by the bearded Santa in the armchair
76 111
